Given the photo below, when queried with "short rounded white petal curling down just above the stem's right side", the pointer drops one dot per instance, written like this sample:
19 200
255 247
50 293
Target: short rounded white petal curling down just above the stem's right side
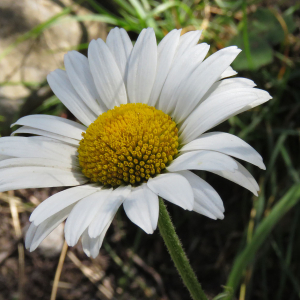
174 188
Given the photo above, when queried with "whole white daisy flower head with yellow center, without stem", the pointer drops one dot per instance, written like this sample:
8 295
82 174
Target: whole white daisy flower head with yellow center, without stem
144 113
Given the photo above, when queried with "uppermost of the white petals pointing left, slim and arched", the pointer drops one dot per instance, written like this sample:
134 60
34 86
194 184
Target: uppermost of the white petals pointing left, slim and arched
53 124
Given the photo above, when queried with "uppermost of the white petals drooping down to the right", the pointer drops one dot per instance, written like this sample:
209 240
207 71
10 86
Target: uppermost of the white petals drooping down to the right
228 144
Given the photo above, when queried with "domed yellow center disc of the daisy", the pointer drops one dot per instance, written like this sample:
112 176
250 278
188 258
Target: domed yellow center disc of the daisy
128 144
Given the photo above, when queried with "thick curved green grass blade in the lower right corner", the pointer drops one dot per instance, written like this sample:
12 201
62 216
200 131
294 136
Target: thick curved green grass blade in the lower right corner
290 199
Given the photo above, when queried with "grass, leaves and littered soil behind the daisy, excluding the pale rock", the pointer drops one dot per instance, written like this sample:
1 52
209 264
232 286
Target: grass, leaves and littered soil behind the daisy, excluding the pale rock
254 253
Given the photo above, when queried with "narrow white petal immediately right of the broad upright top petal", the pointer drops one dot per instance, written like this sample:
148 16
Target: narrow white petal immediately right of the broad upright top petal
165 54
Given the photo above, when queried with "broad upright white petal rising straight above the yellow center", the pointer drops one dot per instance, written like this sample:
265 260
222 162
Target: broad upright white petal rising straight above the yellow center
142 67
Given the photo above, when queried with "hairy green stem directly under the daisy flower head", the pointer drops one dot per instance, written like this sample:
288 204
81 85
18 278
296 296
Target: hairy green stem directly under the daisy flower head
180 259
